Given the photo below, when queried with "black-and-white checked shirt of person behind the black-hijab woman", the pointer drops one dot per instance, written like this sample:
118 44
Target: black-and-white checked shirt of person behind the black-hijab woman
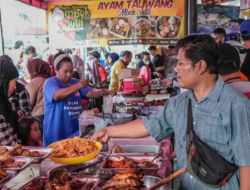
20 102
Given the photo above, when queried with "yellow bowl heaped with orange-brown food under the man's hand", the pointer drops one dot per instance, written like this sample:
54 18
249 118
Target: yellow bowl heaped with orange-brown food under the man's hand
74 151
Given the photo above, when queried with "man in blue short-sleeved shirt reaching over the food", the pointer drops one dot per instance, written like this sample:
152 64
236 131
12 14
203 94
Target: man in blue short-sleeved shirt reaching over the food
221 116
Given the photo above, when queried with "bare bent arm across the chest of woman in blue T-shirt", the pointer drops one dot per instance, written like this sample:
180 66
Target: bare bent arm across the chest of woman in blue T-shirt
66 92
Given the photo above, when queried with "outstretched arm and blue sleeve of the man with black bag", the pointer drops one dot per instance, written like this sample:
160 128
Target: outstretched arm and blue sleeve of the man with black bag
158 125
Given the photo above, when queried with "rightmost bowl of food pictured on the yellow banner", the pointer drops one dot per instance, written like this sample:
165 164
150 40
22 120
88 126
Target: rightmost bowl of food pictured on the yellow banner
168 26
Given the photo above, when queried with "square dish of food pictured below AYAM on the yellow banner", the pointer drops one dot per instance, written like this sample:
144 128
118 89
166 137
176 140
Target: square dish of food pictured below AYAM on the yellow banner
120 27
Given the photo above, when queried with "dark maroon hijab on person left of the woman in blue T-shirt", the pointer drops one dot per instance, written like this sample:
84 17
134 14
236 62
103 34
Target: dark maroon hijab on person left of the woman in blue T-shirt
38 68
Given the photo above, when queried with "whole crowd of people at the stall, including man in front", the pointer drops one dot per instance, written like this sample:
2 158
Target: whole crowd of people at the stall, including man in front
211 73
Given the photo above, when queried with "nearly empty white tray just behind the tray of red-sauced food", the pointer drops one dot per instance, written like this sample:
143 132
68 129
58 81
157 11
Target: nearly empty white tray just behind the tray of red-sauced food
137 150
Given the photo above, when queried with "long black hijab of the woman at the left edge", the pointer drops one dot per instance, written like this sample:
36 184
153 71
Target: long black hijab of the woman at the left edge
8 72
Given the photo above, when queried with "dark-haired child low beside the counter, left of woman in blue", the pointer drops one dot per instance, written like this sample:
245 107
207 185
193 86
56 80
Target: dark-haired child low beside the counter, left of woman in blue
32 135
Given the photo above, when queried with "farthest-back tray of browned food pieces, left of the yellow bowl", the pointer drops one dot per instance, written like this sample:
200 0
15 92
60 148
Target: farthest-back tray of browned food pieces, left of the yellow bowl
38 154
